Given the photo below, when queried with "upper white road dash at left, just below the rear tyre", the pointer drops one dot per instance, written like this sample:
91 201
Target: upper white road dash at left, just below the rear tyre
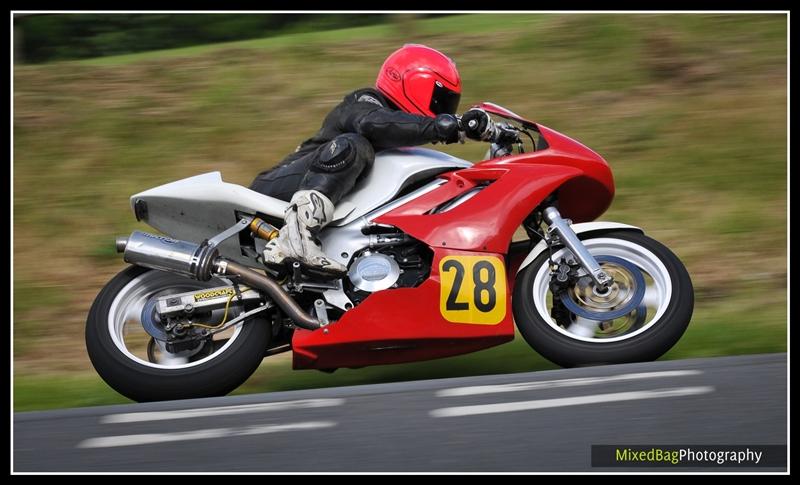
219 411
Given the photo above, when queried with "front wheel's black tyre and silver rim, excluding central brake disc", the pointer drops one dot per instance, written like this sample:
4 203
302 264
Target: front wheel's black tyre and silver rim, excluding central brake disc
644 334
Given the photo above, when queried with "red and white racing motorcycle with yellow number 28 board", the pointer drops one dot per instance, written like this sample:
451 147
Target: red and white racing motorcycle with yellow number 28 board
432 272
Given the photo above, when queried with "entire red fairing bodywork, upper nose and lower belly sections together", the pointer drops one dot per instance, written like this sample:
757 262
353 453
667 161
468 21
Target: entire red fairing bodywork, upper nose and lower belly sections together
406 324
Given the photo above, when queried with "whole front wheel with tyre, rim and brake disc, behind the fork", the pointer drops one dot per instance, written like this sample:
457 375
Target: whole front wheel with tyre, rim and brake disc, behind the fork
639 318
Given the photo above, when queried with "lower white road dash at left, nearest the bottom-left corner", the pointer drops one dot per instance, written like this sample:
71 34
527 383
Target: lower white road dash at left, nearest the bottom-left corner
152 438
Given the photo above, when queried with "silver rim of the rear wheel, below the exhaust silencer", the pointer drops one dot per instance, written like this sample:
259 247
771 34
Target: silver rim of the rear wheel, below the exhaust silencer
124 317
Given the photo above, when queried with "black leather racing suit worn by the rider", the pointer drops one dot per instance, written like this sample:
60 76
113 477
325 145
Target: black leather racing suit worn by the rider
344 148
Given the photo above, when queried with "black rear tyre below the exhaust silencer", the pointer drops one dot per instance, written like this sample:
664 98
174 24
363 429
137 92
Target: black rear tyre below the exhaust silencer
138 382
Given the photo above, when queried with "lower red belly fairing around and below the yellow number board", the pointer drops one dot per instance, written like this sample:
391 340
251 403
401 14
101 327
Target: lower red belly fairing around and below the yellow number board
398 325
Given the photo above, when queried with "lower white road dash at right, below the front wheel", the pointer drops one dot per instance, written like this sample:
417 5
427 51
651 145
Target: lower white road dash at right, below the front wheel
568 401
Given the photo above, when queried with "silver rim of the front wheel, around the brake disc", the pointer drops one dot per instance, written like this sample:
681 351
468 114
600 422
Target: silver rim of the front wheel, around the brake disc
658 292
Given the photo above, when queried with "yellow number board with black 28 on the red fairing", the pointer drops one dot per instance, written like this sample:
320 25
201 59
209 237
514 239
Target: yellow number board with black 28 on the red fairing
473 289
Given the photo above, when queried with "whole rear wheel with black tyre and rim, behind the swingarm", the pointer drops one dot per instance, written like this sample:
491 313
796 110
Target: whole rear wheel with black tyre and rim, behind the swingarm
141 368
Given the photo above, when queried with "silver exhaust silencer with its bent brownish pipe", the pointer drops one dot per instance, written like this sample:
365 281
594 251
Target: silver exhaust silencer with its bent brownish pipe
198 261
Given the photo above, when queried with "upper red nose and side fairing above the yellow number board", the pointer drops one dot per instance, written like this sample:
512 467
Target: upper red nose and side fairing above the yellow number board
516 185
